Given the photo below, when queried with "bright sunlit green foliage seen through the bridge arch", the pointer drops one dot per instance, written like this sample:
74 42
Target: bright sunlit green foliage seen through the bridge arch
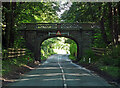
58 43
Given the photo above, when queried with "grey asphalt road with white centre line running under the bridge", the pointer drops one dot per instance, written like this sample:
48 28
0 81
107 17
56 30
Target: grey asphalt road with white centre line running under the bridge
59 71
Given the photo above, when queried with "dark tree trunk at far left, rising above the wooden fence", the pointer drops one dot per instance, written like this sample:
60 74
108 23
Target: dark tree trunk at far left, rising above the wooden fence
9 19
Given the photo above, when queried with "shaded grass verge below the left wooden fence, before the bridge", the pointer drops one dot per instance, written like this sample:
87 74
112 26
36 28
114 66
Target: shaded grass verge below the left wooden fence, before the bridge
9 65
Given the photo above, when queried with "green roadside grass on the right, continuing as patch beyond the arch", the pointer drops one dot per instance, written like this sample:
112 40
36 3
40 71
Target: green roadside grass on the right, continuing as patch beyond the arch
100 62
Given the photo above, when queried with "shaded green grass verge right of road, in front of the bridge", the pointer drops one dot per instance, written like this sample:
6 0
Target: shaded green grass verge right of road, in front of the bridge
112 70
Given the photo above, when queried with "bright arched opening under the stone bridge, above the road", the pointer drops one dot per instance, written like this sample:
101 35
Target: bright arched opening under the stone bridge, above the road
58 45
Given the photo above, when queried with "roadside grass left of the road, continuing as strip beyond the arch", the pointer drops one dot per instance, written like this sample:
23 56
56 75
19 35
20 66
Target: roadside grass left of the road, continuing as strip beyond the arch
11 64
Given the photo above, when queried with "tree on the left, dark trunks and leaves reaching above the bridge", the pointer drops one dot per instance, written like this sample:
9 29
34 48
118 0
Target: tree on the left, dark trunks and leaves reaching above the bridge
15 13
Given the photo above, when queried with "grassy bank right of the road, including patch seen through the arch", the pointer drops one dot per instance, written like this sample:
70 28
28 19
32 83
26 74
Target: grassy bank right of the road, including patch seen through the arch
99 65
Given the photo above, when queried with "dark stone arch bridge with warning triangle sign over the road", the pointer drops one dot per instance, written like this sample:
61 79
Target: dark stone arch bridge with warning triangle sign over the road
36 33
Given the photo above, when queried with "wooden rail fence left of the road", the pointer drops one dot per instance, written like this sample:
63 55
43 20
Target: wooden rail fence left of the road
13 53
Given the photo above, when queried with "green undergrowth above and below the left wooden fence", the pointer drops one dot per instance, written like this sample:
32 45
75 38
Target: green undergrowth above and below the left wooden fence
9 64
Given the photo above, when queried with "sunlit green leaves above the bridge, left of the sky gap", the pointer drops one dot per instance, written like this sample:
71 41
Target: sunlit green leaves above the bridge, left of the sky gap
37 13
